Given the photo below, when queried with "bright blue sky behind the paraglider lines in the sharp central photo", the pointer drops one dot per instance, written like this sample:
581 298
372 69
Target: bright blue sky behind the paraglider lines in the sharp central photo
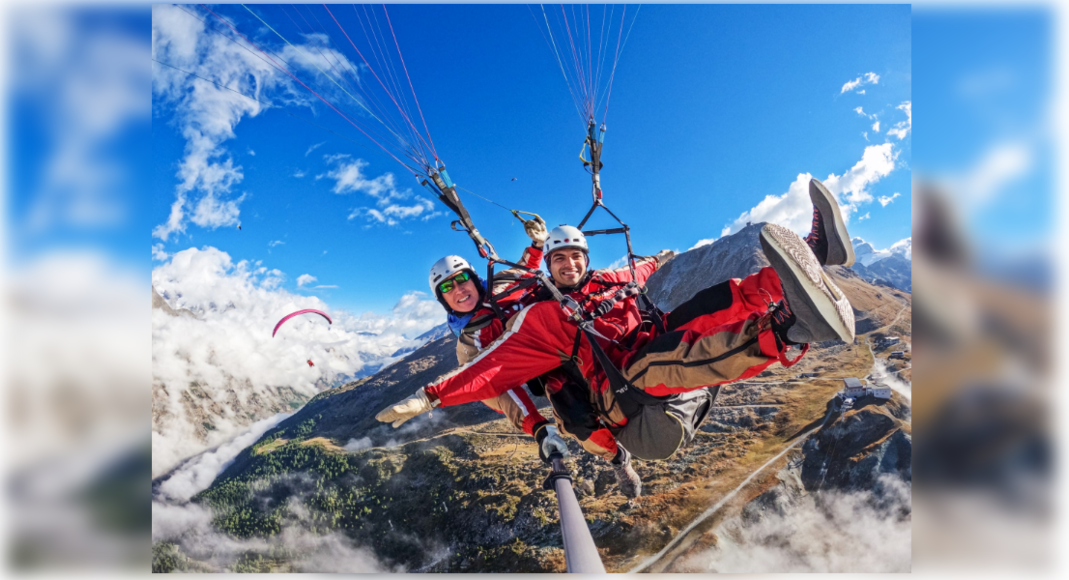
714 108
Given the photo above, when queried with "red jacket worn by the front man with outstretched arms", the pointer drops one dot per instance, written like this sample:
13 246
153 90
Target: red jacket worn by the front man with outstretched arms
541 337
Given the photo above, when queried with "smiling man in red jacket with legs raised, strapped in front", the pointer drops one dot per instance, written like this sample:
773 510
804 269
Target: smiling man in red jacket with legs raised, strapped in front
730 332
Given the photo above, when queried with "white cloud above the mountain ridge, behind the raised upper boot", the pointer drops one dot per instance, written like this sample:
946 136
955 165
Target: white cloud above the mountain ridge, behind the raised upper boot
795 210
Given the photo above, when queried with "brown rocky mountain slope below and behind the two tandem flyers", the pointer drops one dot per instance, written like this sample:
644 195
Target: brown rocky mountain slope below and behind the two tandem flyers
458 491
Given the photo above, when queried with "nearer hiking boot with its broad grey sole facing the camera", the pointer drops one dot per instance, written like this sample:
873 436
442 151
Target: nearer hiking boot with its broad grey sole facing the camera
822 311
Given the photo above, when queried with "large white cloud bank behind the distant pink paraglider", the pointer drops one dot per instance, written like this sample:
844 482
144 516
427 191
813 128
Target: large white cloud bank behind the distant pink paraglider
223 369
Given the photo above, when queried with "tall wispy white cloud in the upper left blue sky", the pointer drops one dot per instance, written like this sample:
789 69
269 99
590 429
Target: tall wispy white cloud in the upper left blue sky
207 115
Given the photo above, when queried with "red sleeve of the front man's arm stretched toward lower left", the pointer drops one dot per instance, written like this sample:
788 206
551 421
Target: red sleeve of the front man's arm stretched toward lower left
531 348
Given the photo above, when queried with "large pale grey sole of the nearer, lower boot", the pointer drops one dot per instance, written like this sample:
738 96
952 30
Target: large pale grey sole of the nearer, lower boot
815 287
